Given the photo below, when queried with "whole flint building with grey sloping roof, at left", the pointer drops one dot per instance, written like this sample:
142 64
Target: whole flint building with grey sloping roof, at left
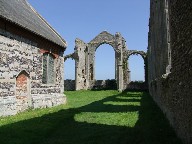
31 60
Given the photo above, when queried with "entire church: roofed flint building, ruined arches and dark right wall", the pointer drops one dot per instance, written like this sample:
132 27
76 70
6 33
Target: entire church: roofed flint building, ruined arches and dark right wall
31 61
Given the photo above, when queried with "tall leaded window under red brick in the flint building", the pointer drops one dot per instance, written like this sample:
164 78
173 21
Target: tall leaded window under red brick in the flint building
48 69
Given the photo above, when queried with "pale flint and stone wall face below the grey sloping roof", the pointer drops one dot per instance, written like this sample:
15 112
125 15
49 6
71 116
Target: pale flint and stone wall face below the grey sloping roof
18 55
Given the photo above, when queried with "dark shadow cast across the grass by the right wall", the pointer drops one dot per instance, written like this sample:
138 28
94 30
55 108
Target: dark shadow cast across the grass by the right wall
62 128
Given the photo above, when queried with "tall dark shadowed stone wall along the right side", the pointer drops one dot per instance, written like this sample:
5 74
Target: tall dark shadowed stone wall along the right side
170 62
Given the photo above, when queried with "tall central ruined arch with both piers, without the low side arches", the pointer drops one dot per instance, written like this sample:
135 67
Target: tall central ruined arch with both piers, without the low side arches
85 63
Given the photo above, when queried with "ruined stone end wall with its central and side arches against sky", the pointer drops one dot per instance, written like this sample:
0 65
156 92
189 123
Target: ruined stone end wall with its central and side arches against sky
84 56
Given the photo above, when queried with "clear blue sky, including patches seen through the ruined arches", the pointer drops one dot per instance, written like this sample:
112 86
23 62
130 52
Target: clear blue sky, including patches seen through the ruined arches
85 19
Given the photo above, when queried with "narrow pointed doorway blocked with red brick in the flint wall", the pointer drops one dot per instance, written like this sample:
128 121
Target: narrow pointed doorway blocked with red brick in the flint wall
23 94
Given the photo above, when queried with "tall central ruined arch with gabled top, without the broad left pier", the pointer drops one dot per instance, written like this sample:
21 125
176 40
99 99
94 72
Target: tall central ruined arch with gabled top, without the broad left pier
117 42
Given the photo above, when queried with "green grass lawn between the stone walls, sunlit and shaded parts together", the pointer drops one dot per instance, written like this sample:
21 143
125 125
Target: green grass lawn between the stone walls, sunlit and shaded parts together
91 117
